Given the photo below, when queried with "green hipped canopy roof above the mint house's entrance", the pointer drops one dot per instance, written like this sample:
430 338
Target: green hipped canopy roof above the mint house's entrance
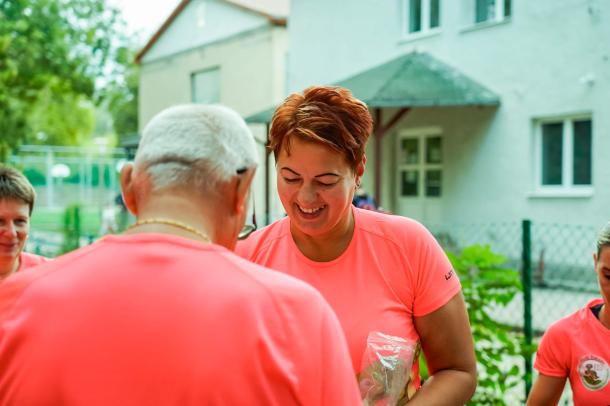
412 80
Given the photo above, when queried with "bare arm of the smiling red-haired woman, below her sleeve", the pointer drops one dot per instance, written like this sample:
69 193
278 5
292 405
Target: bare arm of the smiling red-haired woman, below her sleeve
447 343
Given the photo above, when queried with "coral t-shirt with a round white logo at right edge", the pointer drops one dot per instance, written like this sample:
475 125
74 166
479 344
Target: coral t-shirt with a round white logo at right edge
577 347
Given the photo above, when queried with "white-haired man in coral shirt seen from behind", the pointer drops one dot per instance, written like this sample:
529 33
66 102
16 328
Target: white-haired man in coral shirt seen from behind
165 314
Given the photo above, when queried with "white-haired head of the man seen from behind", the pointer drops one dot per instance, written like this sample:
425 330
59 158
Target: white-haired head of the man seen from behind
204 155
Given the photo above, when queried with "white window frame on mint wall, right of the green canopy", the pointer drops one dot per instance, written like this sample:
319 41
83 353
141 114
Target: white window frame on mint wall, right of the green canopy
567 188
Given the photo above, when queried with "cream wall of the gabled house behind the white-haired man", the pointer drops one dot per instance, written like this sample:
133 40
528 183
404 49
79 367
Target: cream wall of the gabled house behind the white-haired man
251 67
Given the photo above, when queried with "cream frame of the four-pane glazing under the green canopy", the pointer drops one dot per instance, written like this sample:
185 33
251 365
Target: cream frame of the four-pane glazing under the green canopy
421 134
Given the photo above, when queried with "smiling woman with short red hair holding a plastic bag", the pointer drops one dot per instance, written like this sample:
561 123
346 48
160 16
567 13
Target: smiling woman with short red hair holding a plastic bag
380 273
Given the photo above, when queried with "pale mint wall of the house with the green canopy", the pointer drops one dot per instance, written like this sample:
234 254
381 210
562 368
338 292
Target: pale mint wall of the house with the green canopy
538 62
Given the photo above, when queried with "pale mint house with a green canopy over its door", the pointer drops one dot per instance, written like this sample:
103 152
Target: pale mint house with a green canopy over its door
487 110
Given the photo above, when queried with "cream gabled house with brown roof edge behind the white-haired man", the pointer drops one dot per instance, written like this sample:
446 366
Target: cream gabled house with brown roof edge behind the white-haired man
220 51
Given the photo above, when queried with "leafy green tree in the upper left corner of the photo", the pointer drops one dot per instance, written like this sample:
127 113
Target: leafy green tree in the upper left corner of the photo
52 53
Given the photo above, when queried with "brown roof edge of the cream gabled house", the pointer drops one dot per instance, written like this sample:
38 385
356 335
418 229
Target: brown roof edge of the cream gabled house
276 15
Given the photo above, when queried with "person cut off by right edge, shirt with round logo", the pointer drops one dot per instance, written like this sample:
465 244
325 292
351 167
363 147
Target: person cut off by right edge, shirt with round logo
577 347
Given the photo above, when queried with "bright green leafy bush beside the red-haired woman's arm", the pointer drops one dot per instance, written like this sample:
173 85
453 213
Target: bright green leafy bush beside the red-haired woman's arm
487 283
